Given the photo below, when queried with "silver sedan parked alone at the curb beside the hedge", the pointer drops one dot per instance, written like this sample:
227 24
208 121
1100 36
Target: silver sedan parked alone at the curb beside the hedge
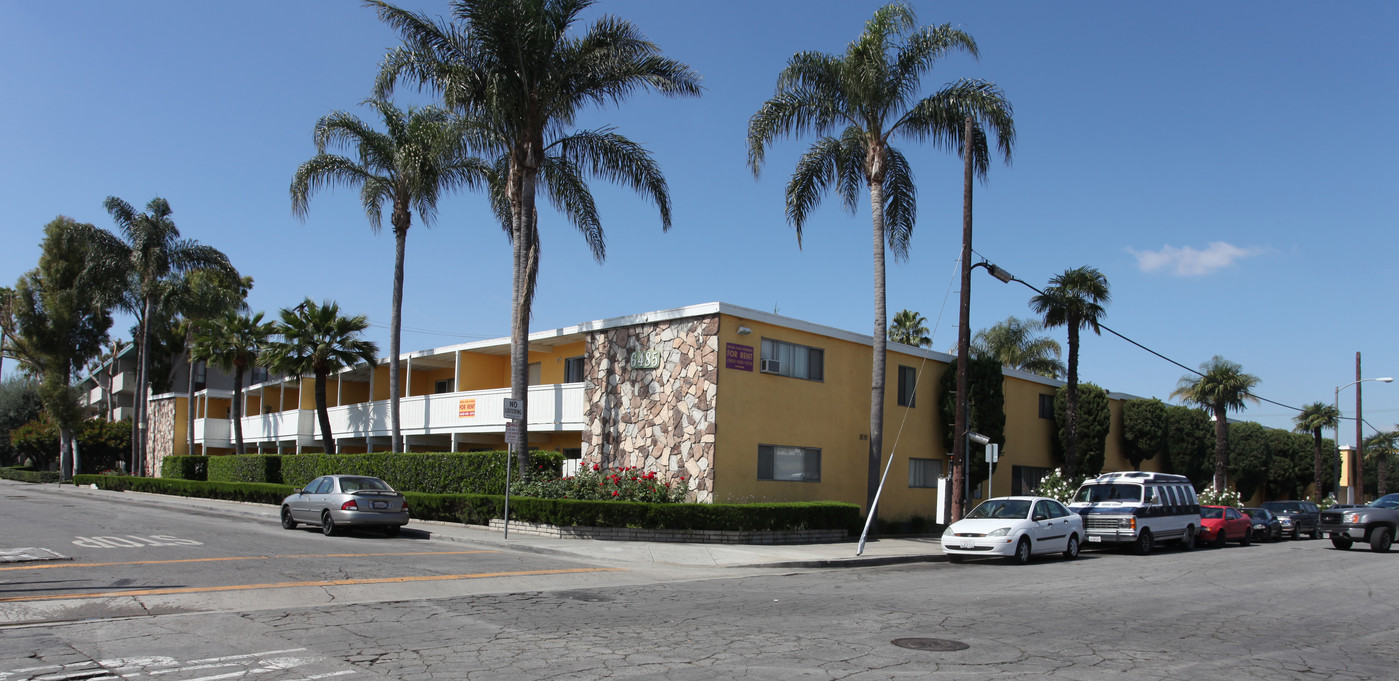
335 503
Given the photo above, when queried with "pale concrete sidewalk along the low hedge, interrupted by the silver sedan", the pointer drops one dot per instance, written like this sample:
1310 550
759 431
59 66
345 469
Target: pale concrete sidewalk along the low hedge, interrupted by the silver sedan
883 552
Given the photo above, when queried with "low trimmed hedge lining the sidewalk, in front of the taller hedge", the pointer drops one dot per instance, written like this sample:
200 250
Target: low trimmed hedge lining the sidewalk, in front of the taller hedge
482 508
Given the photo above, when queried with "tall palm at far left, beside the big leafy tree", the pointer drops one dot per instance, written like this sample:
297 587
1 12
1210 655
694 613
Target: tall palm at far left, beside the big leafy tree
150 250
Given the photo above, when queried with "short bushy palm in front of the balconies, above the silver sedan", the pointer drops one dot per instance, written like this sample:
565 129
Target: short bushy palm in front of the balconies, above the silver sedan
317 340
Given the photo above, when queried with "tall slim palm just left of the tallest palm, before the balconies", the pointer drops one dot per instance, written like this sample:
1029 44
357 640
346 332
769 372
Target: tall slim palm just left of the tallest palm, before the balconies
422 155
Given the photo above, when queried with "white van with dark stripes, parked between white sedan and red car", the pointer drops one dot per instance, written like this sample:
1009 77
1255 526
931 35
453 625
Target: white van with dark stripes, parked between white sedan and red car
1138 510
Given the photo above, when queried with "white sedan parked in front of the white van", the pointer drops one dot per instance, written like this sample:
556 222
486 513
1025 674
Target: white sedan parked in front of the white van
1015 528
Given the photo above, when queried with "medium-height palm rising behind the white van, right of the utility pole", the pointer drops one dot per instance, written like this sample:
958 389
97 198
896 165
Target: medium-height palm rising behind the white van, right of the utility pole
1075 300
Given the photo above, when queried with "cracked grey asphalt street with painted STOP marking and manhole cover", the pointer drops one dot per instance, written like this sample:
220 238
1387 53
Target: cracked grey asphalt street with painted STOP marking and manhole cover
1268 612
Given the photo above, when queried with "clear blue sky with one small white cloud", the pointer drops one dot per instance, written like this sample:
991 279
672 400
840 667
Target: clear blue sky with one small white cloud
1229 167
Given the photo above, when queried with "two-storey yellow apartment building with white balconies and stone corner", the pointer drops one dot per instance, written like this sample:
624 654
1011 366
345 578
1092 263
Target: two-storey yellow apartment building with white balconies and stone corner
746 406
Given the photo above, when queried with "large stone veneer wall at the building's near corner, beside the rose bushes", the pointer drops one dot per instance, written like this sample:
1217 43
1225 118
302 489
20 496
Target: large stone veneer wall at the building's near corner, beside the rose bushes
664 419
